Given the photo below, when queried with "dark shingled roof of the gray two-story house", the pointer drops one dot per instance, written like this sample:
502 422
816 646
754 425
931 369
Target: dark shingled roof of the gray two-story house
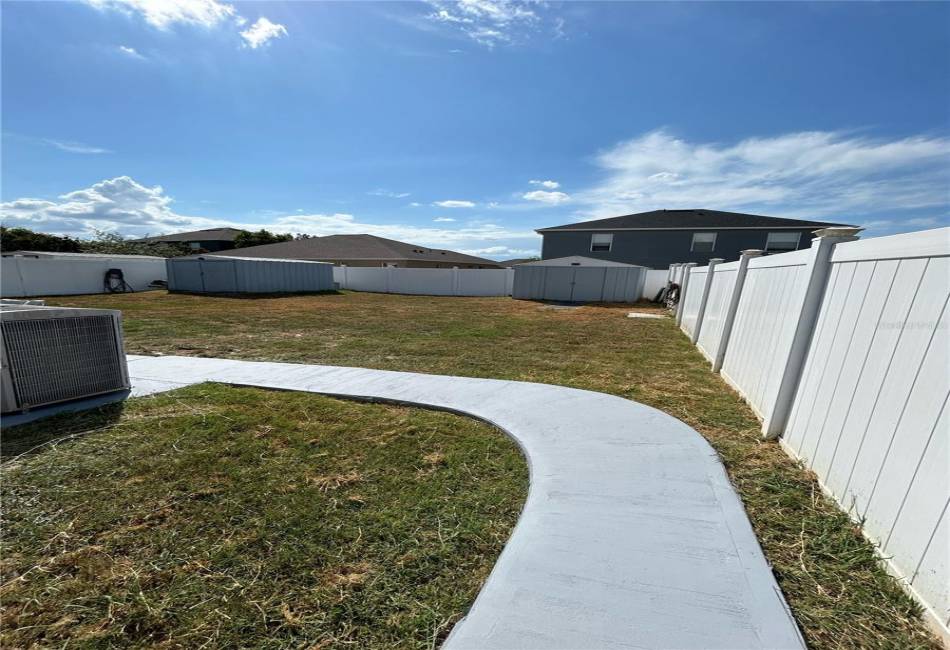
690 220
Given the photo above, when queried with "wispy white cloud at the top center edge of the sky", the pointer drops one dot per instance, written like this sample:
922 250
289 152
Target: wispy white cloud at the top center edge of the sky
489 22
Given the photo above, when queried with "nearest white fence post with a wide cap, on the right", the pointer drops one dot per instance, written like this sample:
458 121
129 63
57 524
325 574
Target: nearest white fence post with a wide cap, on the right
818 269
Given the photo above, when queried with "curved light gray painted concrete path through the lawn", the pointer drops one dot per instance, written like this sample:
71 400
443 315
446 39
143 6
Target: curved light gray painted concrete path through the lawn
631 535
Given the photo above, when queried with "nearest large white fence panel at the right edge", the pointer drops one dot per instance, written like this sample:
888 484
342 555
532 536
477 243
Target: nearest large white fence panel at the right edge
870 415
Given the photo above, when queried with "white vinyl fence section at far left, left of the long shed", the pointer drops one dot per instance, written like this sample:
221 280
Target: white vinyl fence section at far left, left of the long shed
22 276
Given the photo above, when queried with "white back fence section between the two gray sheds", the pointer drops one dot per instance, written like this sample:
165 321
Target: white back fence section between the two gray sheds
425 282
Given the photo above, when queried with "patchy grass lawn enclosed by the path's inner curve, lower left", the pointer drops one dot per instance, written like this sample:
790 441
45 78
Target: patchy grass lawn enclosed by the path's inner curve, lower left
228 517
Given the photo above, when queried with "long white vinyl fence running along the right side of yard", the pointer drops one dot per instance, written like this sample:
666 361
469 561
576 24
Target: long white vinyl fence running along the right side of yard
842 349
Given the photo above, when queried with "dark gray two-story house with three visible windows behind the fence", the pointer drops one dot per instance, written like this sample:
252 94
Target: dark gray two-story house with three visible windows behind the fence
662 237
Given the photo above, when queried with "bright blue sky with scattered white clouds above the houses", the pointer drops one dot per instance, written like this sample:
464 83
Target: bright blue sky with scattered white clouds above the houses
468 125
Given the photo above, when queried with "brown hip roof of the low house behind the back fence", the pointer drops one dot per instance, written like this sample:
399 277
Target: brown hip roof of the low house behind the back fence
356 247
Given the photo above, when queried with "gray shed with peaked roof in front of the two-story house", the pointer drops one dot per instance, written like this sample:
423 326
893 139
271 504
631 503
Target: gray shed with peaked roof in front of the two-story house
579 279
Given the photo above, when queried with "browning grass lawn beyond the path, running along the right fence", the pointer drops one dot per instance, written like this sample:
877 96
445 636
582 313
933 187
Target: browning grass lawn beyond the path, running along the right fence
837 589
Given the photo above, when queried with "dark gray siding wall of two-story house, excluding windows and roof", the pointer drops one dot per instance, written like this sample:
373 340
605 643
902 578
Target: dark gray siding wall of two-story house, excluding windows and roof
658 249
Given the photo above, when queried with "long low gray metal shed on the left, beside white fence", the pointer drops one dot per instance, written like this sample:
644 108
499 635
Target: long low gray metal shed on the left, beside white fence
217 274
